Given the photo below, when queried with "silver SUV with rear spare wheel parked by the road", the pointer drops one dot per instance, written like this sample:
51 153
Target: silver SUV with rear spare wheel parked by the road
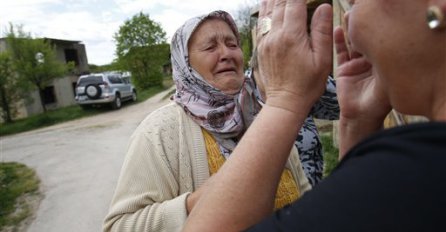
104 88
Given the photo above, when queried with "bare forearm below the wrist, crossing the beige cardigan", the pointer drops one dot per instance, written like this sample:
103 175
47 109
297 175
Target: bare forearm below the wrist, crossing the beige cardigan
237 184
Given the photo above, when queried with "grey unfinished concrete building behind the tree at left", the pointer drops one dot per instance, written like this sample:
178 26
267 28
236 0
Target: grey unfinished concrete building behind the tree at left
61 91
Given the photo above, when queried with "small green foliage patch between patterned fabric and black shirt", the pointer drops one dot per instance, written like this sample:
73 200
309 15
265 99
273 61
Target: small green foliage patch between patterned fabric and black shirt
330 153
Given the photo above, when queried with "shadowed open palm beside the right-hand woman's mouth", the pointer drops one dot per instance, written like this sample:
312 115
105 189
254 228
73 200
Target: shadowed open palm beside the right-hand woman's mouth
362 99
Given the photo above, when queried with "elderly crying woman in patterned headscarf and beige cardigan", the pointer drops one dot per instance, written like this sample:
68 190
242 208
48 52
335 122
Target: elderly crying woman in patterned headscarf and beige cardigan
177 148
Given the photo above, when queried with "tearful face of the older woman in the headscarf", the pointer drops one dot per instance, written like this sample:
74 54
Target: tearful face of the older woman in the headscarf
215 54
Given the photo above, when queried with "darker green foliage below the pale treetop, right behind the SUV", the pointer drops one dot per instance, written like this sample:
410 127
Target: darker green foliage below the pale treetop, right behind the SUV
146 65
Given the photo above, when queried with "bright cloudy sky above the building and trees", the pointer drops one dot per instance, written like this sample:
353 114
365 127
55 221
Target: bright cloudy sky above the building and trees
94 22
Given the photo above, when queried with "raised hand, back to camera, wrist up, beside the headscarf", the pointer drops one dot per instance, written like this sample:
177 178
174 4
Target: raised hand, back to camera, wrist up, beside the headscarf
293 65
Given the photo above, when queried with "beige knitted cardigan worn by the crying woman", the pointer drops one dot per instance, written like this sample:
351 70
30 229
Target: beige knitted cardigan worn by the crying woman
166 160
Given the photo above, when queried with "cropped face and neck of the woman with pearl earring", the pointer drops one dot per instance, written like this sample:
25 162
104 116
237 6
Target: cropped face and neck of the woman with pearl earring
394 37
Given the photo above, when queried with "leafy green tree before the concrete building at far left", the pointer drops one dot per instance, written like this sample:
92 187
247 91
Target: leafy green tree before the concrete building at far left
35 60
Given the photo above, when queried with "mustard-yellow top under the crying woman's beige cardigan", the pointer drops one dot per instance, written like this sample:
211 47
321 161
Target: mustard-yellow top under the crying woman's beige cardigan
287 191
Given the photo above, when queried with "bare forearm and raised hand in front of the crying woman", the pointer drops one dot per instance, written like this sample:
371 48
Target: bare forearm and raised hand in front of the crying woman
242 191
